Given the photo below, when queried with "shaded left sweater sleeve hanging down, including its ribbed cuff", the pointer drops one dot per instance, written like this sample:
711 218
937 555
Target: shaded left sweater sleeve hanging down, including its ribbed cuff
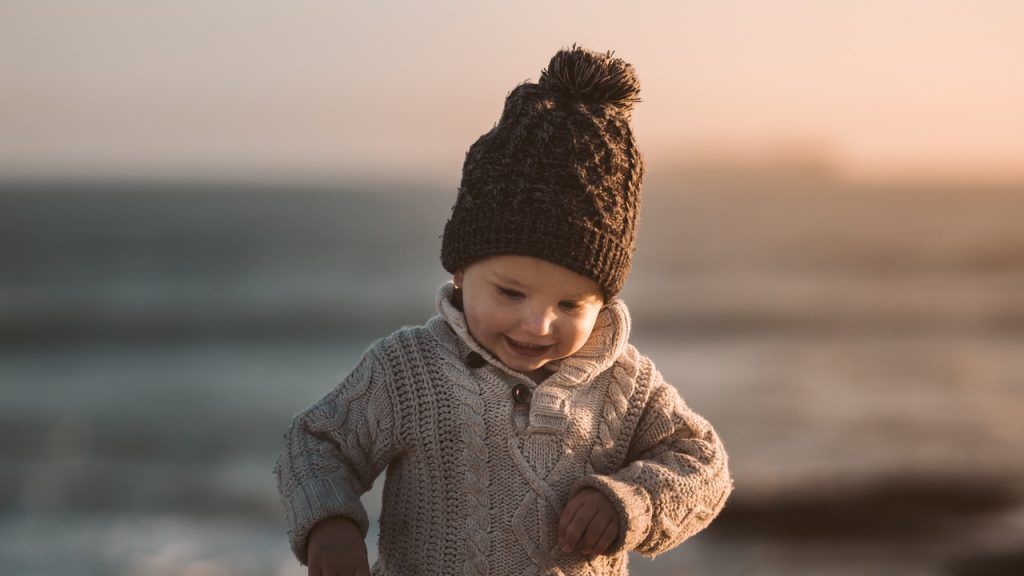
334 450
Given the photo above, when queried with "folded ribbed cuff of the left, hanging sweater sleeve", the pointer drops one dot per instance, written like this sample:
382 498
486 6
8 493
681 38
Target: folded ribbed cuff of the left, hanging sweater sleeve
318 500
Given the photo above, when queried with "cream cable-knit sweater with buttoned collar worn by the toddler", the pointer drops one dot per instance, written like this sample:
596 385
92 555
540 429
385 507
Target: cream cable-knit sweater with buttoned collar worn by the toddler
477 483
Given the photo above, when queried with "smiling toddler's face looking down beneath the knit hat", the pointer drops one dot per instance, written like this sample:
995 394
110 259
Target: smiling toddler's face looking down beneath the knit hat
528 312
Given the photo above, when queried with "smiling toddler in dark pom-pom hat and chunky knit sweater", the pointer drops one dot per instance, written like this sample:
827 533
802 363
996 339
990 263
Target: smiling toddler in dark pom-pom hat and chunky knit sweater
522 433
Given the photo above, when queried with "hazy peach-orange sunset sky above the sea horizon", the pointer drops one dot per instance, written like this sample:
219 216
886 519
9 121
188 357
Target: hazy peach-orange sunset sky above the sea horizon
249 89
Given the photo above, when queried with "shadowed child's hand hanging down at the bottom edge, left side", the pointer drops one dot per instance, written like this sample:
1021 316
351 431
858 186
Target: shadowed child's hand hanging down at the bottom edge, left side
336 548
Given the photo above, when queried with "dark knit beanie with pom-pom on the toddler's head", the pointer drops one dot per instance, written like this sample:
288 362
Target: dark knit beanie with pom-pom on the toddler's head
560 177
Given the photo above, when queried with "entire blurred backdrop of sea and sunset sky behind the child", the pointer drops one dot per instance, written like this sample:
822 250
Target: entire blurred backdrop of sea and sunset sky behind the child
209 210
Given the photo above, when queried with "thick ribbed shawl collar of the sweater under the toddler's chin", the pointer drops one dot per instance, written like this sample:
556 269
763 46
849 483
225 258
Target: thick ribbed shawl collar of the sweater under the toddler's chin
607 343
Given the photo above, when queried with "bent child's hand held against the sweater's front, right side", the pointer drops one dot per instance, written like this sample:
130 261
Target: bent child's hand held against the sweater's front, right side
589 520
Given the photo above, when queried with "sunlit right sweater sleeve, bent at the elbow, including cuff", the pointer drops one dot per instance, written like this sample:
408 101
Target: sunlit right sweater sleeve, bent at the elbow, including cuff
676 479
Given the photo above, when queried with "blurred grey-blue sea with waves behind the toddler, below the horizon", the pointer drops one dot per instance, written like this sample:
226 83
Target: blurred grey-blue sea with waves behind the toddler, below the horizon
861 351
